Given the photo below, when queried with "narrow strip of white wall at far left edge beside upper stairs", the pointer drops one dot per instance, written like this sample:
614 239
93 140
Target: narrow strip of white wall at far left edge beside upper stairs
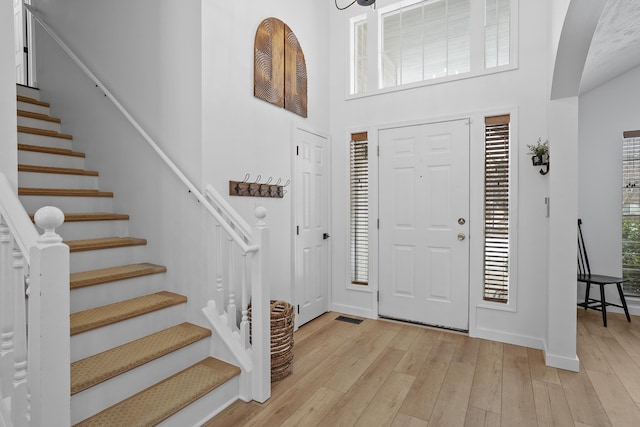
8 138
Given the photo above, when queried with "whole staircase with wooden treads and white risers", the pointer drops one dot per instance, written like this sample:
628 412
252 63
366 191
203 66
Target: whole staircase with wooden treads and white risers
135 361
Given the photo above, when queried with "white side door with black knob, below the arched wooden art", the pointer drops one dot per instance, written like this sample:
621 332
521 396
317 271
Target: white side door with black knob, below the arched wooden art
312 230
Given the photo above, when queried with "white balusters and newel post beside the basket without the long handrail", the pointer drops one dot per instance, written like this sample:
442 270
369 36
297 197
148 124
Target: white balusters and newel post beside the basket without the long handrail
243 280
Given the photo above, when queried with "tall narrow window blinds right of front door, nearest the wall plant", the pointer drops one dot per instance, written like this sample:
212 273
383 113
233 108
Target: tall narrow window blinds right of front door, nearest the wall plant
496 209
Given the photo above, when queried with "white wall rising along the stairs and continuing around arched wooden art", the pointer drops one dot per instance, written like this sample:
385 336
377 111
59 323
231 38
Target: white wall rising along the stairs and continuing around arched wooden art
185 72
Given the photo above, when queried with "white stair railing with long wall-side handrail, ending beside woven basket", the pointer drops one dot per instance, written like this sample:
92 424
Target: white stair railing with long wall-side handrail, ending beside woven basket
251 242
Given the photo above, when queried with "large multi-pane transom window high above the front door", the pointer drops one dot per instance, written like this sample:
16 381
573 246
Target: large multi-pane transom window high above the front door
421 42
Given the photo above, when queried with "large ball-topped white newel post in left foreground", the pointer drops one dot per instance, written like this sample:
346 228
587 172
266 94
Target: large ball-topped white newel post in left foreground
49 338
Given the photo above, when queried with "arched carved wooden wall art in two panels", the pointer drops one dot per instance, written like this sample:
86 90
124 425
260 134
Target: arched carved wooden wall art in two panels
280 70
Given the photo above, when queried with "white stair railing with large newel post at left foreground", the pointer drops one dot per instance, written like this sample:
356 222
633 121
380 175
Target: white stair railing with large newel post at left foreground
34 315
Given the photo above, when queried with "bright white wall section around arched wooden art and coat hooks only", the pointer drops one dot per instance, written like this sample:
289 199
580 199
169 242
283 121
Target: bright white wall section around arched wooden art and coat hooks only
242 134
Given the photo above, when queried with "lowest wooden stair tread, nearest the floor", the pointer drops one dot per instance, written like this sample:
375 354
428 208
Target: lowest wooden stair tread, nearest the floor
160 401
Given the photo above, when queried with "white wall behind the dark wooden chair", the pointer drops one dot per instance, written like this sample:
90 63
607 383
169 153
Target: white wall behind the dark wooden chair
605 113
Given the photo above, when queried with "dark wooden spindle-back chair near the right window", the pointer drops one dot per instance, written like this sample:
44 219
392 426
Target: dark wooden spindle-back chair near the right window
585 275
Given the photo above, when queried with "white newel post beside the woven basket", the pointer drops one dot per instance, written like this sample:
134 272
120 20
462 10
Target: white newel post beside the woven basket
260 316
